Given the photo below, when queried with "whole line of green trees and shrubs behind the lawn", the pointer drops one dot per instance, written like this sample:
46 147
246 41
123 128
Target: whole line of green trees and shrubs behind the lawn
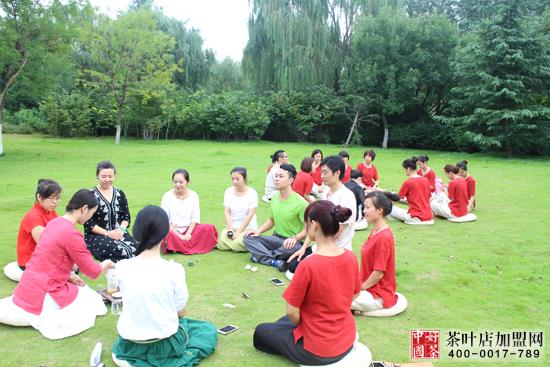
432 74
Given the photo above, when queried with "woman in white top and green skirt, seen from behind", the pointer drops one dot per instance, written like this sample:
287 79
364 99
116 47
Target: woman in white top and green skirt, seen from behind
152 329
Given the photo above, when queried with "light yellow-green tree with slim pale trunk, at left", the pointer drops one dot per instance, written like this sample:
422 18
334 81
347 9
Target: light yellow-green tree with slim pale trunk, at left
128 56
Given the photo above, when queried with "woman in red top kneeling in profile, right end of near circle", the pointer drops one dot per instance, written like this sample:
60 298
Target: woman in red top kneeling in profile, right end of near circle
378 282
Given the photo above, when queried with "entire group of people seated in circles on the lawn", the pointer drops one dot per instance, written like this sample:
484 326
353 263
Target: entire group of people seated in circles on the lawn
313 228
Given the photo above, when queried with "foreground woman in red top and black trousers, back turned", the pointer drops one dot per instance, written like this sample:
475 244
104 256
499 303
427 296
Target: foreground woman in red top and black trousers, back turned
318 328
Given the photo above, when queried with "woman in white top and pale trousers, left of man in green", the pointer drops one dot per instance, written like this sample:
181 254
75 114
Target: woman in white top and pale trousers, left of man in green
240 202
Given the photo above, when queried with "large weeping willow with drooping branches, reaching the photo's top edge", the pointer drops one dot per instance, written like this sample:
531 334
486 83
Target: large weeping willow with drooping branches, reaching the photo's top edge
290 45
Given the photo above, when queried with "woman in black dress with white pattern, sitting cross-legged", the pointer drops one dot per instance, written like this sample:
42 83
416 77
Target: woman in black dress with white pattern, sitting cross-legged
106 232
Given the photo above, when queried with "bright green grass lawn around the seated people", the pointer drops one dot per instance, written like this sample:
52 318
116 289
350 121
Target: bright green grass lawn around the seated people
488 275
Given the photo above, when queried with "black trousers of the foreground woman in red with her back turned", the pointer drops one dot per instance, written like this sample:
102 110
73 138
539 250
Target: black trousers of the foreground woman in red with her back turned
276 338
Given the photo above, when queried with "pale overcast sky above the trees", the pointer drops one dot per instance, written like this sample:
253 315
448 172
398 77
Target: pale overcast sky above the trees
223 23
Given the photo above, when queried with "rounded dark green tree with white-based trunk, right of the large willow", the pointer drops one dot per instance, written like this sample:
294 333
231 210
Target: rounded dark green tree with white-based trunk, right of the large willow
399 64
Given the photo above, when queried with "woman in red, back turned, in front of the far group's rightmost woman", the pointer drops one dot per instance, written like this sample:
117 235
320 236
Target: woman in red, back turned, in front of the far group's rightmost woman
457 191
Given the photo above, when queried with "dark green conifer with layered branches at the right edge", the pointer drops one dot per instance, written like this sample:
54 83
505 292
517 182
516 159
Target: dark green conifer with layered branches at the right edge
503 71
